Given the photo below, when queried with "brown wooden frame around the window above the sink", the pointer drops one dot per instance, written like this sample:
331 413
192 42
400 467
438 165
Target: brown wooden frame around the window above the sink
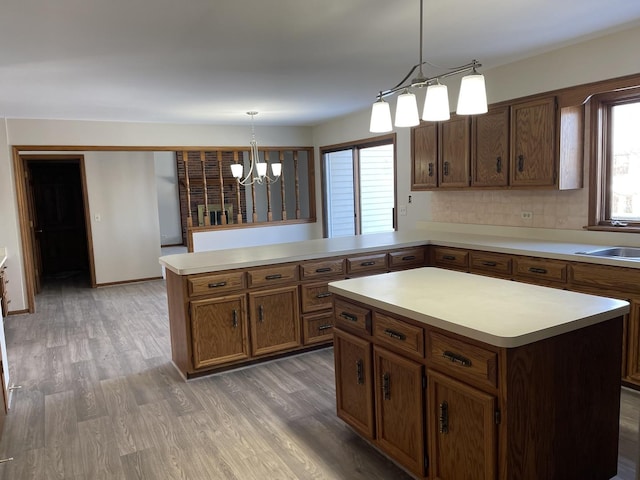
600 108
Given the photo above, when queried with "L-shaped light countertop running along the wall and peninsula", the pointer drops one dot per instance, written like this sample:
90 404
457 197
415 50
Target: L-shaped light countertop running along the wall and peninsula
218 260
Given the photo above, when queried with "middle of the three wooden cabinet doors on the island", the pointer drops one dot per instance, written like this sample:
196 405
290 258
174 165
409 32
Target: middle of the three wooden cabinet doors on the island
399 409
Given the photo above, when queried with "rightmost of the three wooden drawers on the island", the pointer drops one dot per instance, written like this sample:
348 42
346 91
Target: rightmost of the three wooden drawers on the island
462 359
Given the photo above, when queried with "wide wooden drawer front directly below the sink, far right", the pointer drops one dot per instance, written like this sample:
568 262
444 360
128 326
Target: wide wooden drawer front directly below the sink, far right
617 280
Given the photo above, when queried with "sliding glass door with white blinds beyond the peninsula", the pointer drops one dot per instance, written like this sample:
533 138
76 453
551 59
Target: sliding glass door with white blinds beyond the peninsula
359 187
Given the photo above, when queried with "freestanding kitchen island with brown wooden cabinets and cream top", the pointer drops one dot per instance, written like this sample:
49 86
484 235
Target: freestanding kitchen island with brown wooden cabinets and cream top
455 375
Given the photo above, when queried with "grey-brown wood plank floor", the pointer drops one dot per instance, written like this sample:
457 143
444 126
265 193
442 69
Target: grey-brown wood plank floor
100 399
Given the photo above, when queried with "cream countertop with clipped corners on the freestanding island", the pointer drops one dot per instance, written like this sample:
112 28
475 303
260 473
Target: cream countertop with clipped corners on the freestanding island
498 312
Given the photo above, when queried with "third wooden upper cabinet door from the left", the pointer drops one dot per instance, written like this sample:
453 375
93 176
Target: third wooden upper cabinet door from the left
490 149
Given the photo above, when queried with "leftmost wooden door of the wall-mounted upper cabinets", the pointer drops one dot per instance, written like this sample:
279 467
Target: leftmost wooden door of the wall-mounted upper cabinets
424 155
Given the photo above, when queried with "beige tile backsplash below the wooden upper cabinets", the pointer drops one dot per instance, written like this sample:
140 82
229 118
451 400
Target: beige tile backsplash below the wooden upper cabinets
551 209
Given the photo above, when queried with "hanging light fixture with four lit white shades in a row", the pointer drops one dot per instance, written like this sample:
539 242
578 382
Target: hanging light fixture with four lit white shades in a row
472 99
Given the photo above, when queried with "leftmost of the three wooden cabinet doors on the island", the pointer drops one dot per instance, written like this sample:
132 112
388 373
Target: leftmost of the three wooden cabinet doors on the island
354 386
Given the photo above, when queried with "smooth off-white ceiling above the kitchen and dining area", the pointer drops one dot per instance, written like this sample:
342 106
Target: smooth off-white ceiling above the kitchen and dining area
297 62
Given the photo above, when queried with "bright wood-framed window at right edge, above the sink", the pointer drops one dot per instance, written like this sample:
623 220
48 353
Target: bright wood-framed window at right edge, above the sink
615 169
